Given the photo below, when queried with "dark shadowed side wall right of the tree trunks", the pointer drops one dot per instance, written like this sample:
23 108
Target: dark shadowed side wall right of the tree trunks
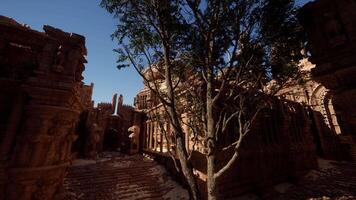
279 148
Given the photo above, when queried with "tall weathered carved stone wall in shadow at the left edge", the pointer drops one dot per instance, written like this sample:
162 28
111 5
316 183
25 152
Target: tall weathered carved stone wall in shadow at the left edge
40 101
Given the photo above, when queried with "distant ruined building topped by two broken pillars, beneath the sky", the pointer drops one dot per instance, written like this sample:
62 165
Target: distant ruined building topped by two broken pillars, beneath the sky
105 128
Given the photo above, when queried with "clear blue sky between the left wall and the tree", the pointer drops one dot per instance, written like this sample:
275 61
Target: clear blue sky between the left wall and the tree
87 18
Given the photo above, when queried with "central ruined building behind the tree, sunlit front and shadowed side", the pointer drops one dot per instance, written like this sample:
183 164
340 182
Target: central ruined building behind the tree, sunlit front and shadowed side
280 147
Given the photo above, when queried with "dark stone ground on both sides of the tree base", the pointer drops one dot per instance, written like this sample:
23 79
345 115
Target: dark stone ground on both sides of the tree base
118 177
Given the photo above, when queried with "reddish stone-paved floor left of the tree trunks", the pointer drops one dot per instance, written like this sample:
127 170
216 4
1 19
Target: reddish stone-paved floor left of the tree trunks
119 177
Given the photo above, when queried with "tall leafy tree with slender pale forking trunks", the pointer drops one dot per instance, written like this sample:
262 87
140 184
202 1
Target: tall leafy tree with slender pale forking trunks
232 48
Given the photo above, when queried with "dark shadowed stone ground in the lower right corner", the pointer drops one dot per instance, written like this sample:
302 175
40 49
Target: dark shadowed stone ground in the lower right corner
333 180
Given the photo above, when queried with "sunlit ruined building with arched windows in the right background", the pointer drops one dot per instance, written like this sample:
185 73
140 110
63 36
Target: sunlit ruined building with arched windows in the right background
317 102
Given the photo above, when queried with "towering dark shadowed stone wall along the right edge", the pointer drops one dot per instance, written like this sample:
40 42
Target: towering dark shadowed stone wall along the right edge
332 43
